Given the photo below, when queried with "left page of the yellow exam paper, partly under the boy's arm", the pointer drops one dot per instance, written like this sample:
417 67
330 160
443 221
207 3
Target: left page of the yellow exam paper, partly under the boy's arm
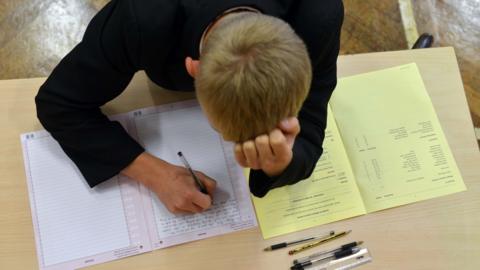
330 194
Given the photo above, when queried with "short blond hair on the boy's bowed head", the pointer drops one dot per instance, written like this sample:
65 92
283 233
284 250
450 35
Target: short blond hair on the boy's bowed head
254 72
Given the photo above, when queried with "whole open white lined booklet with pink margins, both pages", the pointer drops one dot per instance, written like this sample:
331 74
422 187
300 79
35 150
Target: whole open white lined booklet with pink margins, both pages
76 226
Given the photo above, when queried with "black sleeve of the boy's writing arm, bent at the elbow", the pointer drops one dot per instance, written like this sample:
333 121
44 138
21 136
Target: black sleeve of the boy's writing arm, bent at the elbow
97 70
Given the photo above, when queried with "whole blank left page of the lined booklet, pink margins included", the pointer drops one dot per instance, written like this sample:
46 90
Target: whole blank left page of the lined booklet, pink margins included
76 226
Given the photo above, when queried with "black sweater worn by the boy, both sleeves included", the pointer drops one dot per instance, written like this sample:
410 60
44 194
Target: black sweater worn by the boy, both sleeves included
156 36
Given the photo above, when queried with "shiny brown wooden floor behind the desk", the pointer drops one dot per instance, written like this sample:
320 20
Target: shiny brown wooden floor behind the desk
36 34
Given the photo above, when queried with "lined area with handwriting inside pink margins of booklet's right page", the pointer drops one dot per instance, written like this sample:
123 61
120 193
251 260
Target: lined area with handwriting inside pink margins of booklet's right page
163 134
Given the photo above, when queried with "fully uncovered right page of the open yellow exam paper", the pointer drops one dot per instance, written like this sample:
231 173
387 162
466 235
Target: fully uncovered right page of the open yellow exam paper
395 143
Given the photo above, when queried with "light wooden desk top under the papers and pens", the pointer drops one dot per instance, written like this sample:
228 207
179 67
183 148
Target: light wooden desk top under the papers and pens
441 233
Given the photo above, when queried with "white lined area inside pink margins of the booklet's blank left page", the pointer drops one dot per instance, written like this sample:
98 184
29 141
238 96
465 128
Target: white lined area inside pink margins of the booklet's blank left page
73 221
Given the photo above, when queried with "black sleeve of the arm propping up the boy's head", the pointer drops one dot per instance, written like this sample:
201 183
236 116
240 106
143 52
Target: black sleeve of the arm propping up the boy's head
307 148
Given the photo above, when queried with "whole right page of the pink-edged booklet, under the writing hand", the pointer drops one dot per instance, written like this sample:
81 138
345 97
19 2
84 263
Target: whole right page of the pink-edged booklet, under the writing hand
164 131
